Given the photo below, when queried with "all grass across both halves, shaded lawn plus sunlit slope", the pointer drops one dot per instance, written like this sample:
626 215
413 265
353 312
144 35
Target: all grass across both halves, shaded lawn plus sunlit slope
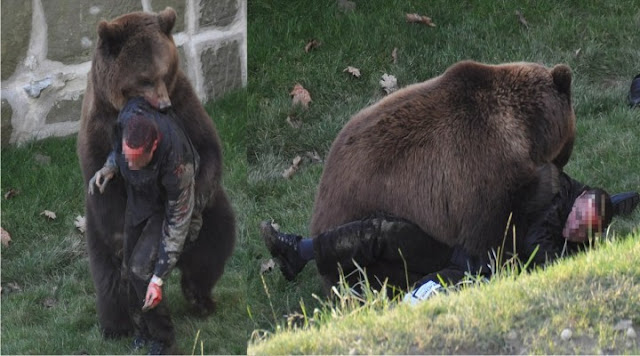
53 311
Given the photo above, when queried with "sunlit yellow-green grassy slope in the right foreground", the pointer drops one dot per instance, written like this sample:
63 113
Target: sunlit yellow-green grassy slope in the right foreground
588 294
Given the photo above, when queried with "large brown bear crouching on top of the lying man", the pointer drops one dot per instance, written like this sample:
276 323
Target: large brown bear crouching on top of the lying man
454 154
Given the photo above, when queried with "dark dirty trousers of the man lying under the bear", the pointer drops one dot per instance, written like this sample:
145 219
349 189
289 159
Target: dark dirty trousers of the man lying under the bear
388 248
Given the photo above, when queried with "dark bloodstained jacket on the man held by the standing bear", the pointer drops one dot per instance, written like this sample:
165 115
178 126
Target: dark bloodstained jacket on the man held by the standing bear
165 184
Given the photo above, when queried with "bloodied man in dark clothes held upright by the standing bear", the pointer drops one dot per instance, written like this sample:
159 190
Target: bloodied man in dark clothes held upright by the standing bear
158 164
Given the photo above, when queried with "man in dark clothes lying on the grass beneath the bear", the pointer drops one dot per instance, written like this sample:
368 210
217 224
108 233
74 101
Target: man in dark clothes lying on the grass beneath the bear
395 249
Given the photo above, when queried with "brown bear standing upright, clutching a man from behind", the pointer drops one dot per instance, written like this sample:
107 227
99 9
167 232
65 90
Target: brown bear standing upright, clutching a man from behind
135 56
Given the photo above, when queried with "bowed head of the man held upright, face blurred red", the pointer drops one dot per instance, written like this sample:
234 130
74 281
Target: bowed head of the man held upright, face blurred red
139 141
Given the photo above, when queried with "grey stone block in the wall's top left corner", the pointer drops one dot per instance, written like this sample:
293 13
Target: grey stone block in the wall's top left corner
16 31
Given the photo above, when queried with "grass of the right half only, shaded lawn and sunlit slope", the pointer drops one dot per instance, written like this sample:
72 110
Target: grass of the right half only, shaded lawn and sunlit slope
601 44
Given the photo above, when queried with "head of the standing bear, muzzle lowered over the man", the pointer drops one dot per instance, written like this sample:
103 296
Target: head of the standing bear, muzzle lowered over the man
136 56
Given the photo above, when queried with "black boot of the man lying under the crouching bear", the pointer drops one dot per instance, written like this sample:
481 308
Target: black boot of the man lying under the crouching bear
284 248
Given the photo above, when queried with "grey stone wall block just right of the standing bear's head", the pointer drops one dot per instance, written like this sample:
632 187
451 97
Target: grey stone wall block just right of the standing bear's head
221 68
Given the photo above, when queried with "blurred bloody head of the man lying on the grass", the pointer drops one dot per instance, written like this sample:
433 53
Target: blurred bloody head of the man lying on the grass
591 213
